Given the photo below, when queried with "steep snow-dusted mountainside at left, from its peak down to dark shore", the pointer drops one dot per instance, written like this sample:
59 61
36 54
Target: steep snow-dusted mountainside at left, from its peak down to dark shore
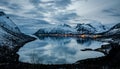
11 38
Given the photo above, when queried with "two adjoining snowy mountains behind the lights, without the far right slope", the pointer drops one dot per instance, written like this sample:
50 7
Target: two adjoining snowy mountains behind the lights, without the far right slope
91 28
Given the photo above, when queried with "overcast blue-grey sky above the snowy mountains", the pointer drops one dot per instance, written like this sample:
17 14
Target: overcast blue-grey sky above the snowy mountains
65 11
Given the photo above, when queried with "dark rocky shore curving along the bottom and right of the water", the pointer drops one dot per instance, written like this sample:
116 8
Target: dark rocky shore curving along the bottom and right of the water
110 61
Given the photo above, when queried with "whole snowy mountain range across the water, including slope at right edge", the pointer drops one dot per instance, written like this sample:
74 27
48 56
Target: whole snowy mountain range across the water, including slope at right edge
88 29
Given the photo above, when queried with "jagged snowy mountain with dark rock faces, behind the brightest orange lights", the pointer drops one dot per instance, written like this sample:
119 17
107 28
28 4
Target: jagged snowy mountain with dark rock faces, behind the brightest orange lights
91 28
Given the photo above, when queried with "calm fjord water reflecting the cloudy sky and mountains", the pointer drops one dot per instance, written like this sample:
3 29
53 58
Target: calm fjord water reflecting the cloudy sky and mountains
52 50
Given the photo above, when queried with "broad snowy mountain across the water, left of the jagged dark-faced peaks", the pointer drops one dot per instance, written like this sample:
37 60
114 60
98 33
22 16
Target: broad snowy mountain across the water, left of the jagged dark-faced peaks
56 29
